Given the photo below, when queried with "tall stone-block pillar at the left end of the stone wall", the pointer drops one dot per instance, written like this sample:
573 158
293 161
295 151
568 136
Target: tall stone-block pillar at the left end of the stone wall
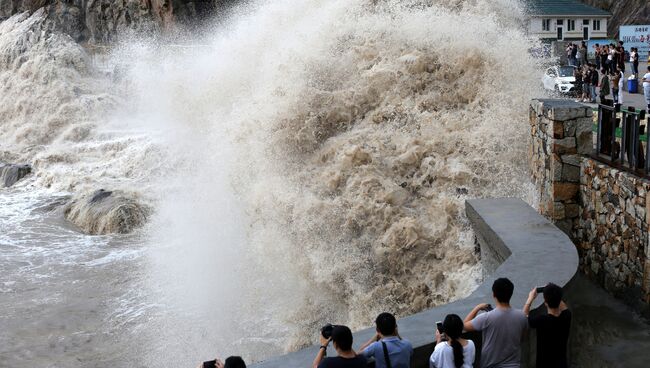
560 134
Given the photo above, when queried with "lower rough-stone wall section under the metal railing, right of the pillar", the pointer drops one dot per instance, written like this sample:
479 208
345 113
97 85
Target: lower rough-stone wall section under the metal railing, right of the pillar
612 233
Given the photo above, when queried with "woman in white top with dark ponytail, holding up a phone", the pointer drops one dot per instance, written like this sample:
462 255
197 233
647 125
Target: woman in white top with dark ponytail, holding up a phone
455 352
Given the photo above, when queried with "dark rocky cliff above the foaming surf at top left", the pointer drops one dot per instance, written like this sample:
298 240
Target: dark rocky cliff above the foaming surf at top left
101 21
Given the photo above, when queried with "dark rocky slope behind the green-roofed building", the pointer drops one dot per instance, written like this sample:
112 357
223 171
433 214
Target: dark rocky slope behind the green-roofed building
624 12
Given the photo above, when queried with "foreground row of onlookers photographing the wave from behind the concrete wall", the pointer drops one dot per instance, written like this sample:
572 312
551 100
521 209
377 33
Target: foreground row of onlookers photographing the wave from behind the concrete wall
502 329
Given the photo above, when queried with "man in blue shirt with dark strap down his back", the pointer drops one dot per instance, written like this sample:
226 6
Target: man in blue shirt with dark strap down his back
387 347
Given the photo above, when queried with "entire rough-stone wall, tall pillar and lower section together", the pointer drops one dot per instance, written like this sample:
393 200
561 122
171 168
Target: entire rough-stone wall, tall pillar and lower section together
603 210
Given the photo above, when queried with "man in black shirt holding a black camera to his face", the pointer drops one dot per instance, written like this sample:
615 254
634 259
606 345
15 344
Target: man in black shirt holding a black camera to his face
342 341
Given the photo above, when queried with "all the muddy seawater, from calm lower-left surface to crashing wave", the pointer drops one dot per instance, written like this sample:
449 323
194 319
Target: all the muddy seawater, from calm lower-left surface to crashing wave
306 162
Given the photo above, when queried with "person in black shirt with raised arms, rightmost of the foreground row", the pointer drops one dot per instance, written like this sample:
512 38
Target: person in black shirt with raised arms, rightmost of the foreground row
552 328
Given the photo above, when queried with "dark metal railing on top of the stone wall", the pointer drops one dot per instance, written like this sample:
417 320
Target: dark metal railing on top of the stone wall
621 135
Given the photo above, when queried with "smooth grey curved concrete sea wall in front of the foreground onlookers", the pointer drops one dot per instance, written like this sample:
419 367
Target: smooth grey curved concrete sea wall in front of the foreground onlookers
522 246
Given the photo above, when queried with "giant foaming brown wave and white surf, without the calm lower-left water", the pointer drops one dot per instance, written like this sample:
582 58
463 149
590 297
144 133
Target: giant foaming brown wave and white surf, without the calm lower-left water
360 127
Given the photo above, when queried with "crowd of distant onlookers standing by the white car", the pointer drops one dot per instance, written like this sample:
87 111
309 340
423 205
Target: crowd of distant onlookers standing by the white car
606 73
